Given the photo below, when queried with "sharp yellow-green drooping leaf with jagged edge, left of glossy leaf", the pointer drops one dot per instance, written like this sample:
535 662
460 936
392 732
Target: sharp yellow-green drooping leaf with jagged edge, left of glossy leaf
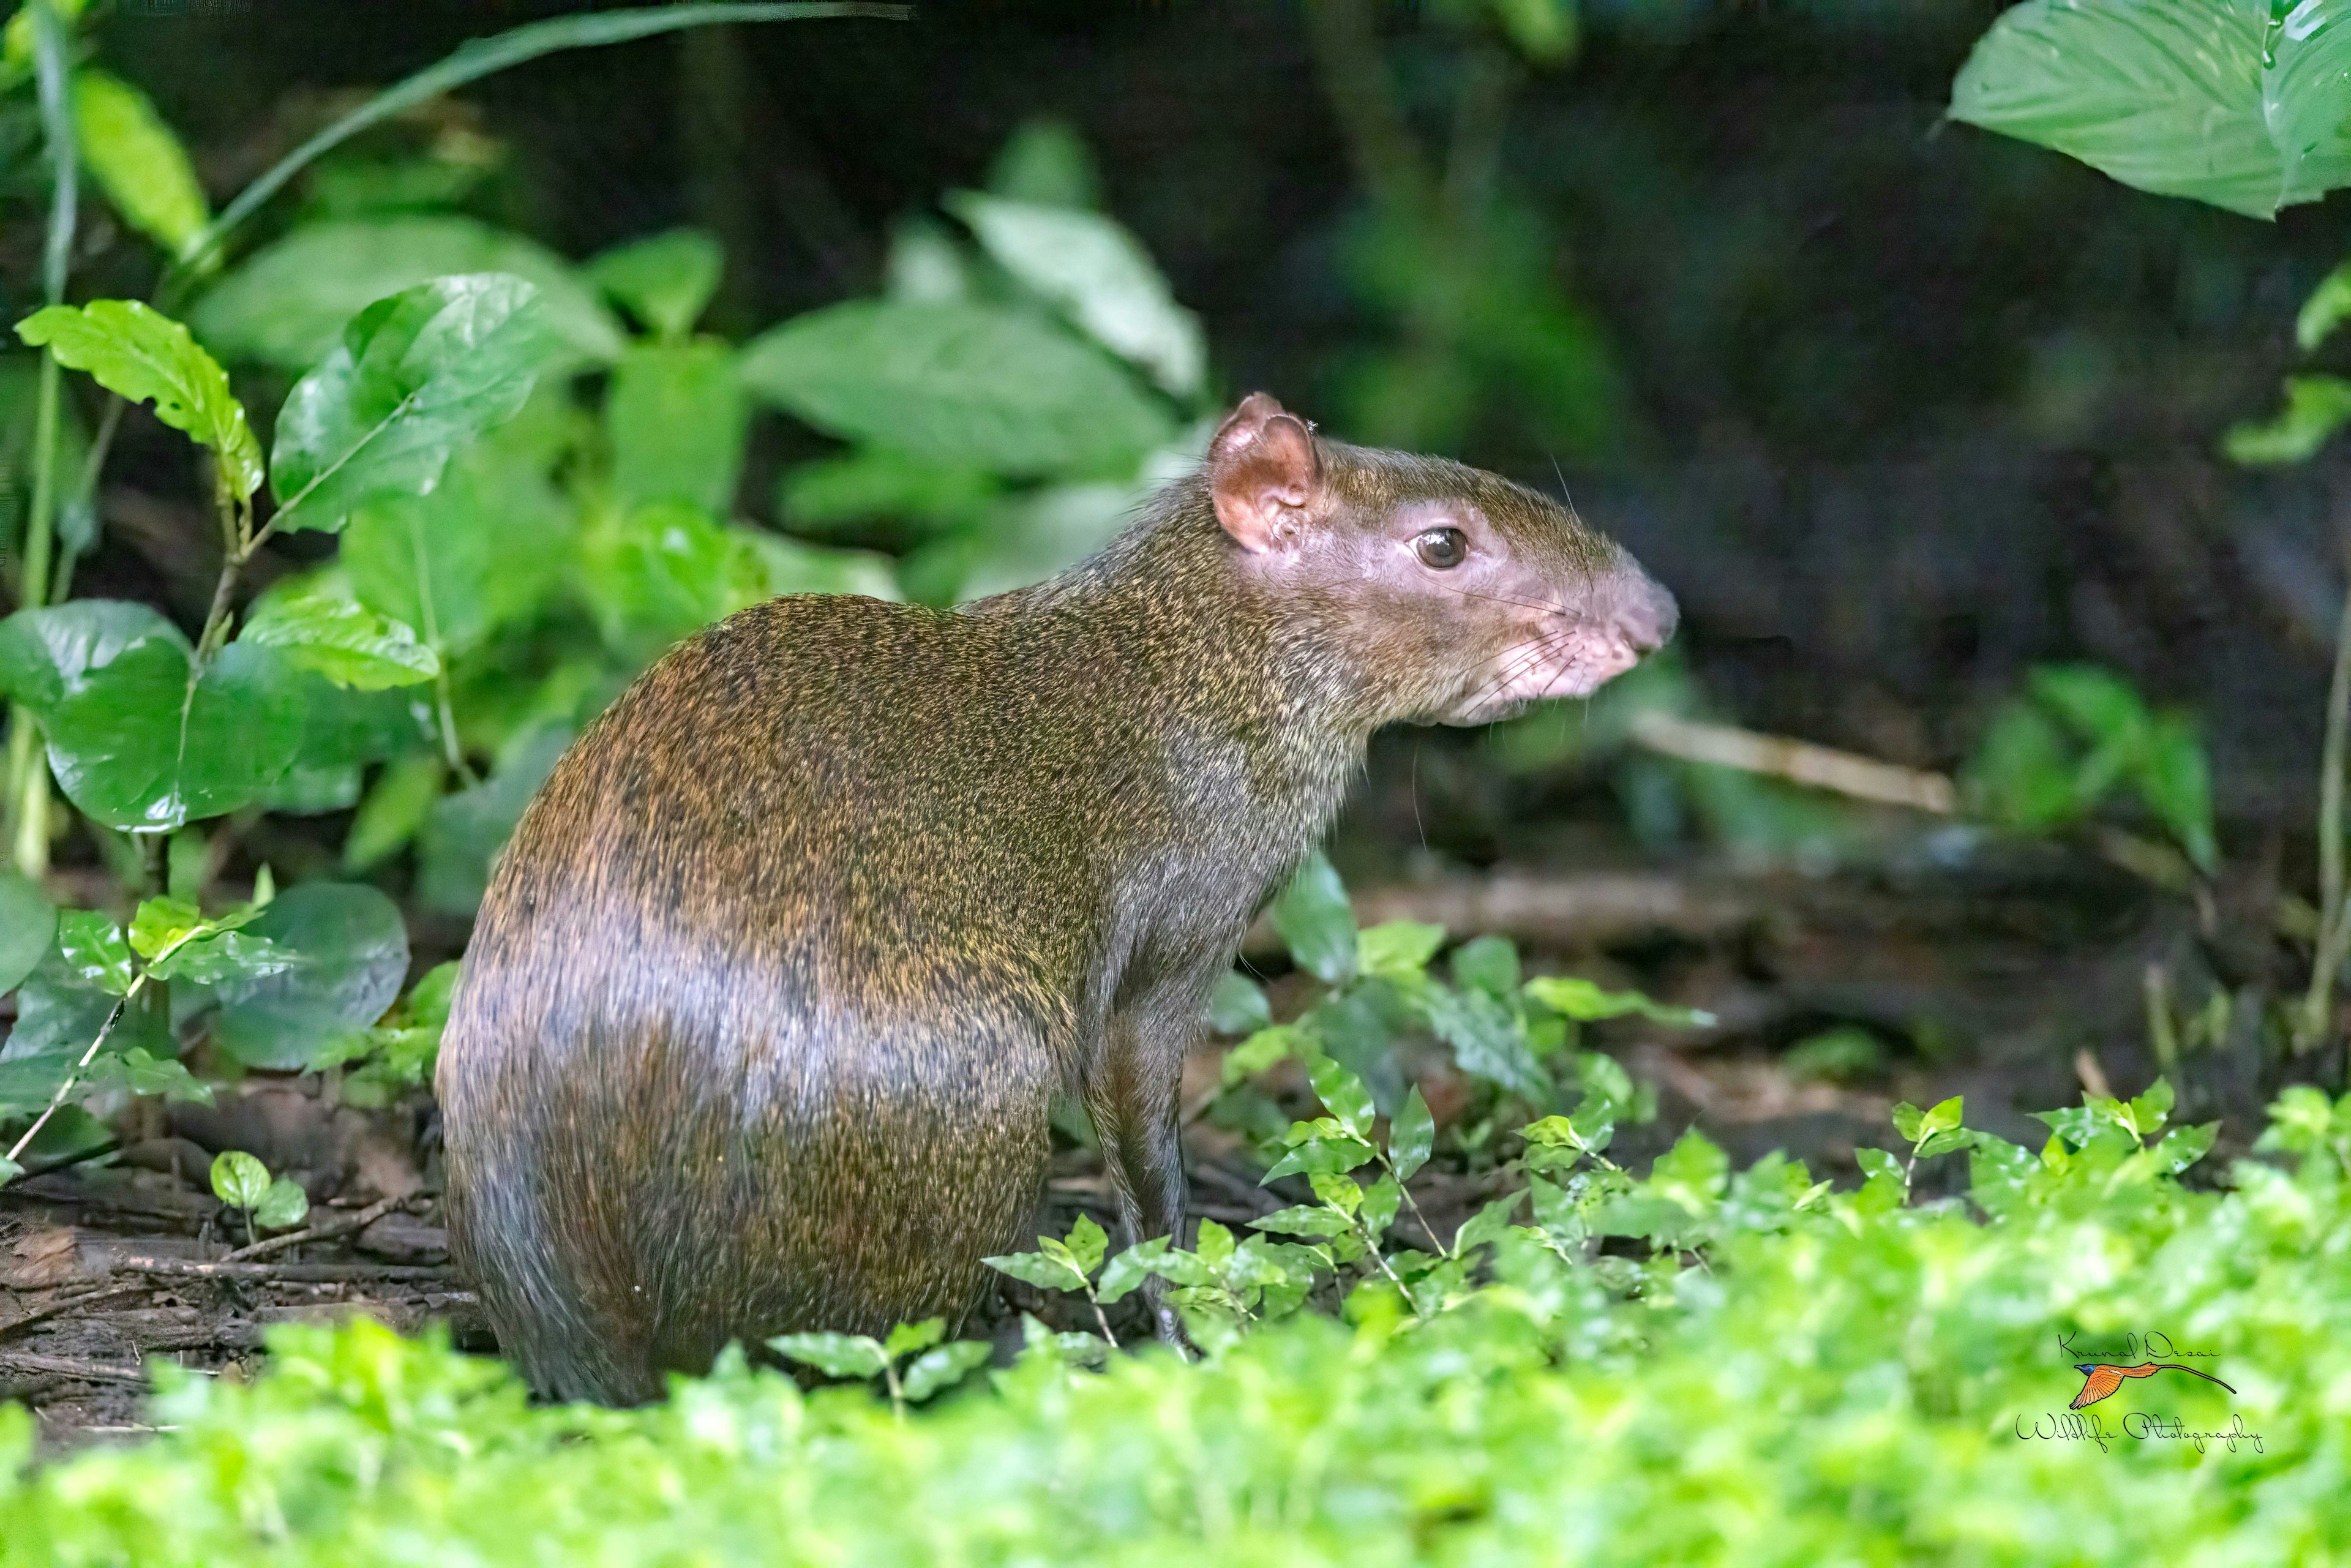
145 356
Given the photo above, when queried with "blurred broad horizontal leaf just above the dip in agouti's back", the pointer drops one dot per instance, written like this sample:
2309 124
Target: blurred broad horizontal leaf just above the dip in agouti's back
958 384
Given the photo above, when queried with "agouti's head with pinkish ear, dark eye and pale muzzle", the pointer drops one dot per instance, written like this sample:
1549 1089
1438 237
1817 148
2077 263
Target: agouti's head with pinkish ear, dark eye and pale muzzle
1456 596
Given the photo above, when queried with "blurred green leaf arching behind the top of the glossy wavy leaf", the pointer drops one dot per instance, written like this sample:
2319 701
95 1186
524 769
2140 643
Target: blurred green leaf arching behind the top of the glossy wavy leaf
288 304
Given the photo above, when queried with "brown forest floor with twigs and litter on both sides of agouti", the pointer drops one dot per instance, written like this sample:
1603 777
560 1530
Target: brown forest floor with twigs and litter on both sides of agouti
2016 989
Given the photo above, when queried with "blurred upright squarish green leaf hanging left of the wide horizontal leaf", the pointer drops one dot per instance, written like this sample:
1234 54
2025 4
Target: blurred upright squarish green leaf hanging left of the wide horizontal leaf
676 417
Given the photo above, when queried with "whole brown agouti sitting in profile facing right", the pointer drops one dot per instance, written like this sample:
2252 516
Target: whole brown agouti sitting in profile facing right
782 972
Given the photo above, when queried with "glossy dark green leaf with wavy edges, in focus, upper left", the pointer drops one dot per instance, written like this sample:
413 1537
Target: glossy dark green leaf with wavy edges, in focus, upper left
415 380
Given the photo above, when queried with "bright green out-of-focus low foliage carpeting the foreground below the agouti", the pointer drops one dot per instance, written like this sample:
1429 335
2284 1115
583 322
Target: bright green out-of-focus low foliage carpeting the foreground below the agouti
1847 1381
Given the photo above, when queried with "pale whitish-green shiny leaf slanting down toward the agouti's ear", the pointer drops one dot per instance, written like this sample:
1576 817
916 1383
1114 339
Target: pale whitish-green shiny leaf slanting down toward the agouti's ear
1099 276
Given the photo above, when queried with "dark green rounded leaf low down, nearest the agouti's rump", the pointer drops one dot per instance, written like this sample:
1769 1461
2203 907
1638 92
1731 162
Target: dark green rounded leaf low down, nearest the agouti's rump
351 953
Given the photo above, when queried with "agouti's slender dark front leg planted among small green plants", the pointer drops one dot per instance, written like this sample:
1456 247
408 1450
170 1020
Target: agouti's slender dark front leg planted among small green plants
1134 1097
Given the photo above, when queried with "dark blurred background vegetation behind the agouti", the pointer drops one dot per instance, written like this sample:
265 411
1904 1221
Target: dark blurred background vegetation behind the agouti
1924 427
